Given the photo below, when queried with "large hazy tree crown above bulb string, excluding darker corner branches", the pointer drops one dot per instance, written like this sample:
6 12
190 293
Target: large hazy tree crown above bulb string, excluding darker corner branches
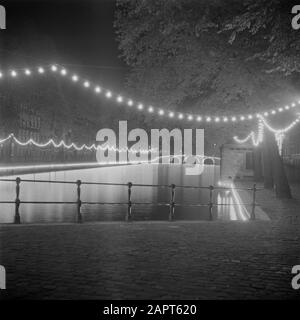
182 56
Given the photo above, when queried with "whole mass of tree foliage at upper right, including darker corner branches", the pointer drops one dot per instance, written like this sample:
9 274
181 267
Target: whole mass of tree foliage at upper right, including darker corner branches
209 57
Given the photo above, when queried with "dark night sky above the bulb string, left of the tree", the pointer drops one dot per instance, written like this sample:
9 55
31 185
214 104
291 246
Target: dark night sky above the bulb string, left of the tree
81 31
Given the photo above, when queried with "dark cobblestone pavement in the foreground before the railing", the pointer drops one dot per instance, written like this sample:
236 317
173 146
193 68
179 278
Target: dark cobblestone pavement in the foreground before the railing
155 260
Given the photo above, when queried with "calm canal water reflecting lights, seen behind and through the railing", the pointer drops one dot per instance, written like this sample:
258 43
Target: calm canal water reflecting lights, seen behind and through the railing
141 174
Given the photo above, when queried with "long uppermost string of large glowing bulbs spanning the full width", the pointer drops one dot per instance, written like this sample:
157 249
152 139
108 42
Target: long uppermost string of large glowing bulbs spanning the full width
139 106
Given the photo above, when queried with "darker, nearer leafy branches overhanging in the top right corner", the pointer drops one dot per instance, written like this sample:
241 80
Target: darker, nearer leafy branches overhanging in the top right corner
266 26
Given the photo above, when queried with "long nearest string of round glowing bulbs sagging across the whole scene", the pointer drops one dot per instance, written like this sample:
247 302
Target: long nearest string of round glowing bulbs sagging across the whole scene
140 106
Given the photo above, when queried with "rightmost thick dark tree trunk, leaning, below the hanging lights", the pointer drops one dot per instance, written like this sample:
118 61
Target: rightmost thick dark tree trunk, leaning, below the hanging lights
281 185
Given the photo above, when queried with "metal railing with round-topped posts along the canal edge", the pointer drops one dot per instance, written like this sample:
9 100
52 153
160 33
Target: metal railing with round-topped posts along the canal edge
130 186
